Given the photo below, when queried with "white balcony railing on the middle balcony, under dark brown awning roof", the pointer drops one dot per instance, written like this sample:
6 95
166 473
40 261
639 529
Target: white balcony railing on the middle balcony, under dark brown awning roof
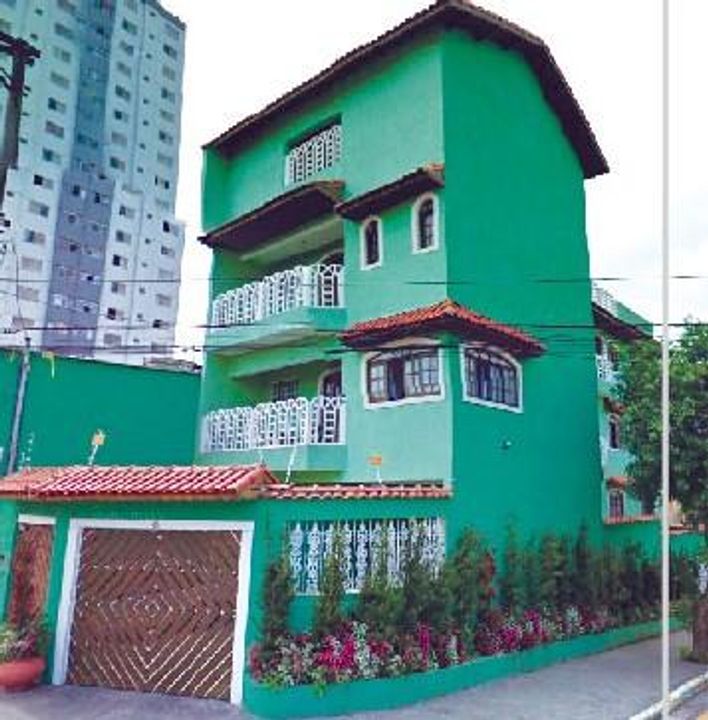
318 286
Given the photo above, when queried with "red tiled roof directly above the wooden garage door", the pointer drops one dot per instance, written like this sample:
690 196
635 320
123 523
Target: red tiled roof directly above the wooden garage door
136 483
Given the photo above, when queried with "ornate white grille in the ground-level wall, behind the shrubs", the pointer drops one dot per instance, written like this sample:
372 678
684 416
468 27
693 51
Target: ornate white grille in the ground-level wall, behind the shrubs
310 543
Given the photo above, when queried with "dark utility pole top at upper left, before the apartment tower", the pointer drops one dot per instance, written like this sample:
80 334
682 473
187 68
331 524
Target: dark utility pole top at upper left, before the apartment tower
23 55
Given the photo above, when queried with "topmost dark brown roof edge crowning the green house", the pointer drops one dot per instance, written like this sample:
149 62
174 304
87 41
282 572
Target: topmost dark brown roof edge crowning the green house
482 25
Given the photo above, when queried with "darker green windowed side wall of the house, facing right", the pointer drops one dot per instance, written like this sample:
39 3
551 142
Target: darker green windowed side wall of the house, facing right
517 251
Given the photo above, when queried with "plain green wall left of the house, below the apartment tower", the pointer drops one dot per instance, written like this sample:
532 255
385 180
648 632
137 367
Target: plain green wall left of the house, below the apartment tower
148 415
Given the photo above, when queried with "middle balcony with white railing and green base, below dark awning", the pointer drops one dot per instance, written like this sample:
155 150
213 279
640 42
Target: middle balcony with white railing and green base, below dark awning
282 306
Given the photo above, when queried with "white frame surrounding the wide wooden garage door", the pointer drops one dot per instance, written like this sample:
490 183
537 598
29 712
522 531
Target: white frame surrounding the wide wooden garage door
72 558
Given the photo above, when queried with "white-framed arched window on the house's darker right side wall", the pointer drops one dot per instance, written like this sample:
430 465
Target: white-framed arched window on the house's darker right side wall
491 378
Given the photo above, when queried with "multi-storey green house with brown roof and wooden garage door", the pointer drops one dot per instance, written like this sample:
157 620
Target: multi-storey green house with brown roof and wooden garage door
401 328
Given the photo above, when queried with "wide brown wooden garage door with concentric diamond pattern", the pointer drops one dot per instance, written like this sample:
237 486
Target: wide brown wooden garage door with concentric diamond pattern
155 611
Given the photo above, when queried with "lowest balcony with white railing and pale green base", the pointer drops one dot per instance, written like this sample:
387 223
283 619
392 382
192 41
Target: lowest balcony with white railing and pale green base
309 423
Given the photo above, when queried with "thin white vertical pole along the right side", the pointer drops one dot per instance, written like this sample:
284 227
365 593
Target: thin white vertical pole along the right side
665 387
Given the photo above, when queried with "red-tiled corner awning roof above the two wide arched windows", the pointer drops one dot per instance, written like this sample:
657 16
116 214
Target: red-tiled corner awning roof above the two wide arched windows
443 316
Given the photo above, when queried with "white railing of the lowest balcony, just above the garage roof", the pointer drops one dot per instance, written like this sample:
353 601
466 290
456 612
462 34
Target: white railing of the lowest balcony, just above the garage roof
300 421
